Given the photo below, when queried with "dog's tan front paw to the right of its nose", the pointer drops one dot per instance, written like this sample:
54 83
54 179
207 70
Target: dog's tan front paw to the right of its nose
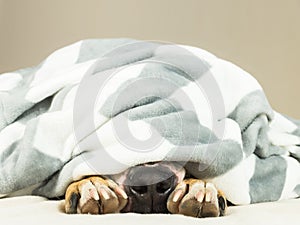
196 198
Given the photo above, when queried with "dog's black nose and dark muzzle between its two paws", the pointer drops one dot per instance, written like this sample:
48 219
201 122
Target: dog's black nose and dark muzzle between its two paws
148 188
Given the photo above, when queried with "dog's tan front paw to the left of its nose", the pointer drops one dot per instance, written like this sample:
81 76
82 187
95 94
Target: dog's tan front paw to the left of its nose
94 195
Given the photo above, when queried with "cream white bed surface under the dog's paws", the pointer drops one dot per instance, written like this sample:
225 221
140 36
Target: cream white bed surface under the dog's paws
37 210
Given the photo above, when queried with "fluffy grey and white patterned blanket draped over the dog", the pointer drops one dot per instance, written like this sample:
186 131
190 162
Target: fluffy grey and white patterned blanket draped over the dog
102 106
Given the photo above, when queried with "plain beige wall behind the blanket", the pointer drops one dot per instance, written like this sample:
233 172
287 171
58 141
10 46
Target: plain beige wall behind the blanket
261 36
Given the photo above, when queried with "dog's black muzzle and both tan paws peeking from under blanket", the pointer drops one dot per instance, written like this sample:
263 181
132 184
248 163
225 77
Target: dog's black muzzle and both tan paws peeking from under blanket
158 187
